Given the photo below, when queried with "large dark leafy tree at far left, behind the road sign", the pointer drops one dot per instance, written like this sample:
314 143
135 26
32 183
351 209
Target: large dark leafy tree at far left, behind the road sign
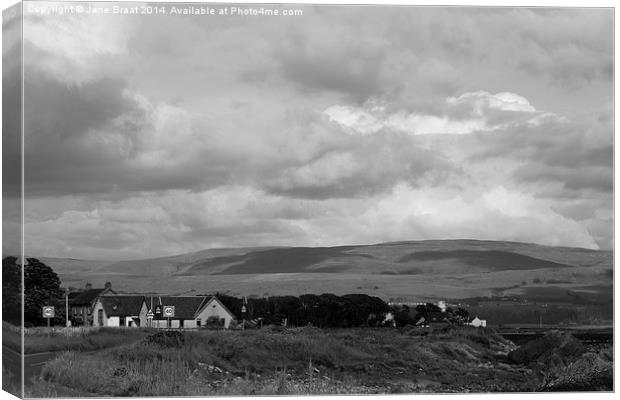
41 287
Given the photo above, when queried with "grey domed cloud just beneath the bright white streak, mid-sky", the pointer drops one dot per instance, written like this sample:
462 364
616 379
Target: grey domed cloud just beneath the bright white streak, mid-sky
365 166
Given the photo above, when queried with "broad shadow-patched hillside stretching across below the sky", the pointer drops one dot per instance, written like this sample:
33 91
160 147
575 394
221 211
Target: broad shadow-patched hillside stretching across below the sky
411 270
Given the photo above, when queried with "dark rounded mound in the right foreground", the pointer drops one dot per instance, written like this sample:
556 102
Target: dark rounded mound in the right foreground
554 345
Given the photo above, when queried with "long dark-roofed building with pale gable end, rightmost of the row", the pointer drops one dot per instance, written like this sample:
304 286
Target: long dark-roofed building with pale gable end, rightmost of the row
189 311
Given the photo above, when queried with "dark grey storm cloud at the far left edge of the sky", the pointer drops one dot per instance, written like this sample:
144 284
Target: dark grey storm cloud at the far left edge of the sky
58 156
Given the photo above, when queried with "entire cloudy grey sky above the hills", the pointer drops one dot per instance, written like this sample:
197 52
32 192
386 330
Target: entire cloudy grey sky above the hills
148 136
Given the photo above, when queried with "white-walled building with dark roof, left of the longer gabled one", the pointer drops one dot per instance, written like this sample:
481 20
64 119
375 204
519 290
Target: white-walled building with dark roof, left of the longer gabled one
129 311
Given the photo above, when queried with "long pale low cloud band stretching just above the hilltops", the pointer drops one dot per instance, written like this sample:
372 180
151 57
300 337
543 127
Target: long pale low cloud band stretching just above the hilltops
182 221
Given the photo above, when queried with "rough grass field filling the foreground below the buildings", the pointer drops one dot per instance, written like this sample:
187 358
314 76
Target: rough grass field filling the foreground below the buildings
296 361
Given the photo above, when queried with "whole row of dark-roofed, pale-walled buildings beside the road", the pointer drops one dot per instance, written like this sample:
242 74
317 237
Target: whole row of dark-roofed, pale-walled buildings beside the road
105 307
